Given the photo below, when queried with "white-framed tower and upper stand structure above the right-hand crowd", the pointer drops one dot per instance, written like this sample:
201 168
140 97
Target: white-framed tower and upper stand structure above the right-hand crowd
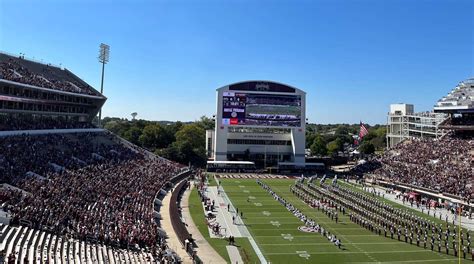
453 112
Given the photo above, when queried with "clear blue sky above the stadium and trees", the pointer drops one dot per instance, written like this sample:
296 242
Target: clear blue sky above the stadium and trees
353 58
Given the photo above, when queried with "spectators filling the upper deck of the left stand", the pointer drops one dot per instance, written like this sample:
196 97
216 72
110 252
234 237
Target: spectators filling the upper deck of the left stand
13 70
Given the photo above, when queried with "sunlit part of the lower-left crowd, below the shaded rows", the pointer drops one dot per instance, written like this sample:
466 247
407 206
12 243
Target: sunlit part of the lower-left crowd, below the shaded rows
110 202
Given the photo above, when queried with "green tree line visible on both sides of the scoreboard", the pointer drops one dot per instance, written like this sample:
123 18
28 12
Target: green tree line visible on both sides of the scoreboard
185 142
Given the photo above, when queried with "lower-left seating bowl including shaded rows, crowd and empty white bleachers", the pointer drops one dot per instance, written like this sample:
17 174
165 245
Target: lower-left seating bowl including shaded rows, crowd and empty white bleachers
81 197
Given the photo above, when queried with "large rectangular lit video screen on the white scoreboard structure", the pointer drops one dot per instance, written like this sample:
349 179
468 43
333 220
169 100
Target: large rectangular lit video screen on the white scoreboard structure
261 109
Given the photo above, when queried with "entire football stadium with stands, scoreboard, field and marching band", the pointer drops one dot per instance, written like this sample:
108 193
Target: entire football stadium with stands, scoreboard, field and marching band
73 192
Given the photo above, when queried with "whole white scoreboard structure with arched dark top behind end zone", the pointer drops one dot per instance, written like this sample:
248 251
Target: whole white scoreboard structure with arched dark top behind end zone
258 123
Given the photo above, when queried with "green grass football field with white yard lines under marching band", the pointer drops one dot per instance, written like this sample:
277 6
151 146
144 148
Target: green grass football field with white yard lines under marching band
276 231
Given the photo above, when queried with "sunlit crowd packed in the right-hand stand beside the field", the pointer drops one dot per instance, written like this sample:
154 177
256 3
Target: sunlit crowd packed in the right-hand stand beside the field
444 165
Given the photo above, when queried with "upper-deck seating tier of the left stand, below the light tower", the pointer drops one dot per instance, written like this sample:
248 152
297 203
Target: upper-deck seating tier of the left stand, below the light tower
17 69
